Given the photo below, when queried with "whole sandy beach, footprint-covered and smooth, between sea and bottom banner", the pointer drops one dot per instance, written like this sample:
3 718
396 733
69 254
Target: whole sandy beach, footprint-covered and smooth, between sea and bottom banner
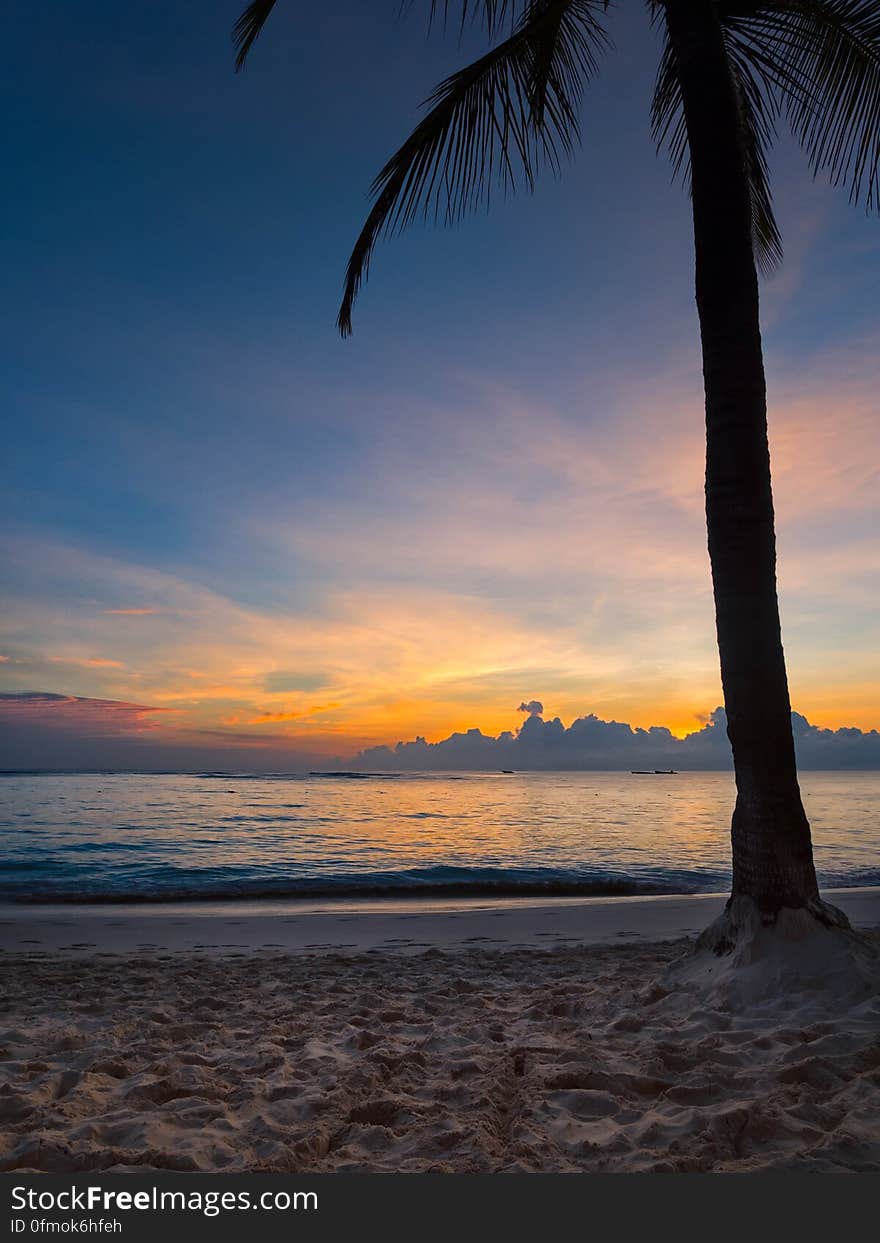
459 1037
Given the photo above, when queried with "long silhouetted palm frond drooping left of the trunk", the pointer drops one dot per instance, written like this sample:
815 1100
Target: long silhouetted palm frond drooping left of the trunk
494 122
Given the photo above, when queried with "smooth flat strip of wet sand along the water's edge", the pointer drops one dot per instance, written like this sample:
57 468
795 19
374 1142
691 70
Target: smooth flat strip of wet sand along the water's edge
354 927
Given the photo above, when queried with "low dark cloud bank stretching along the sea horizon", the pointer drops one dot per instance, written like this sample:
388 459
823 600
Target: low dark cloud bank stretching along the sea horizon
58 732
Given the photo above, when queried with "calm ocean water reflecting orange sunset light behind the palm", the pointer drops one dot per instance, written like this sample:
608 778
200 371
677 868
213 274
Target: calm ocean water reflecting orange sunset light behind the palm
132 837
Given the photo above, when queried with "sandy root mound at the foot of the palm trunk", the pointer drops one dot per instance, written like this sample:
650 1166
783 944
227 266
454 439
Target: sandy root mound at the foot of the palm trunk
748 956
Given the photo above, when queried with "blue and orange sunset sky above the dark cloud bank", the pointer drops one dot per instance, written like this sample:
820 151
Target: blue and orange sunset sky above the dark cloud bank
229 535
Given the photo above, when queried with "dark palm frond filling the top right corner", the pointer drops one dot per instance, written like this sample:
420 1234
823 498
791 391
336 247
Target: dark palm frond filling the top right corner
825 60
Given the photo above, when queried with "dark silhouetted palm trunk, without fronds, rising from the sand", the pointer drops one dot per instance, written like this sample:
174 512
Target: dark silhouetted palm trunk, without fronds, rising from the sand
772 850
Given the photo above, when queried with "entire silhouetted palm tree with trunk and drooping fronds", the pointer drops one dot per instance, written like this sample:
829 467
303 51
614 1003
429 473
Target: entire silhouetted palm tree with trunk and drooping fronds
730 71
